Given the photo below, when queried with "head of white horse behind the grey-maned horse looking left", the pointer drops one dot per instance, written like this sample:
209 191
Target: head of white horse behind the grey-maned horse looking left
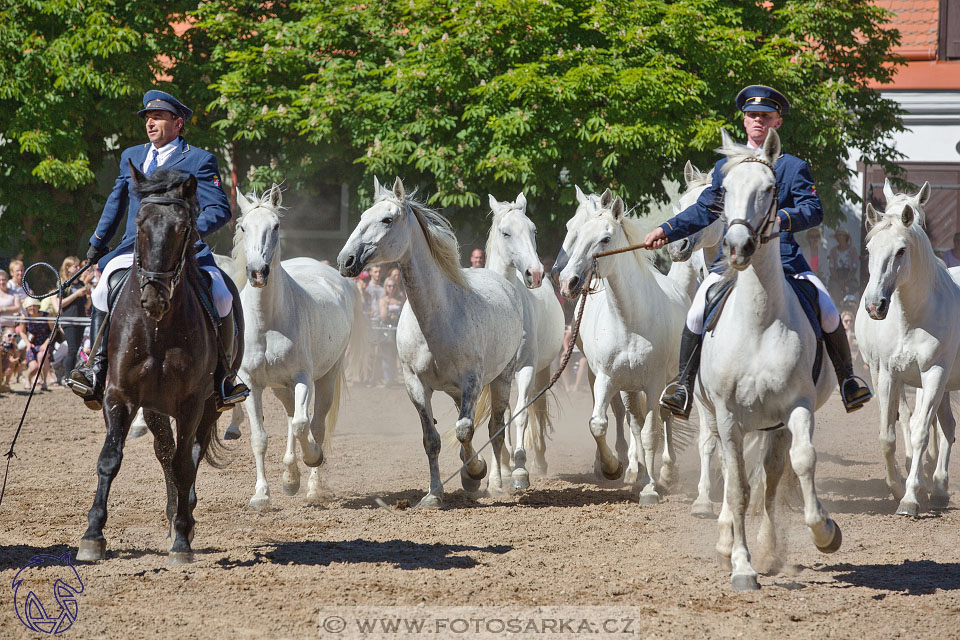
512 239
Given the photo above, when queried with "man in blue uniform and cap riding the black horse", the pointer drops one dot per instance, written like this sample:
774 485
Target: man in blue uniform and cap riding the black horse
164 117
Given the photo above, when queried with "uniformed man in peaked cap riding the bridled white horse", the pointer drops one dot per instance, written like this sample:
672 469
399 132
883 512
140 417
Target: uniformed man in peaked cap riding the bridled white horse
799 208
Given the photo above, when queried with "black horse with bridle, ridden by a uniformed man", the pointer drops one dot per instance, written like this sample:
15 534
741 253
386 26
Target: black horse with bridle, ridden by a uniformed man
163 350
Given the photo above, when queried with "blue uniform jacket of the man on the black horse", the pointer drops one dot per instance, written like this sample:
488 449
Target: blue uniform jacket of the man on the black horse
214 206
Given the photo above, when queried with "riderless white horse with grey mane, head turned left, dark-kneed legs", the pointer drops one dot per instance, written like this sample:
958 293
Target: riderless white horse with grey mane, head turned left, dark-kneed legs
458 332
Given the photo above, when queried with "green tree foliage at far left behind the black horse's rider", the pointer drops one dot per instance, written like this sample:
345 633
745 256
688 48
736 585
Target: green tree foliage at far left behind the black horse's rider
71 77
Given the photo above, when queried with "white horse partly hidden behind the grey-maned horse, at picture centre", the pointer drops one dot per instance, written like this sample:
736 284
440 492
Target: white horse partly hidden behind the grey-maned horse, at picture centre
512 252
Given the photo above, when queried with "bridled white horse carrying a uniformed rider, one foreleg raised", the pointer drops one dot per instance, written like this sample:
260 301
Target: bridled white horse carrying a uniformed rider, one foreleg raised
757 364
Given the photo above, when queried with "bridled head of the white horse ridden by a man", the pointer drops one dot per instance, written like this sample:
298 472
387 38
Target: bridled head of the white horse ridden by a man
750 200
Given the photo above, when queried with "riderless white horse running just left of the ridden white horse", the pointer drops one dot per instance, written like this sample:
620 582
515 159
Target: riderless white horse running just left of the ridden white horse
630 332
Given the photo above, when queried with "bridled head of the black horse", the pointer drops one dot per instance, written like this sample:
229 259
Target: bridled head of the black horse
166 228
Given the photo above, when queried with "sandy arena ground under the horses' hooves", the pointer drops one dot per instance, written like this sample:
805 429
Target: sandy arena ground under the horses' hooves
569 541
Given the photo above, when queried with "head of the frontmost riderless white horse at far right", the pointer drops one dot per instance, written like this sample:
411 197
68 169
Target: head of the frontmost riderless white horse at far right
893 241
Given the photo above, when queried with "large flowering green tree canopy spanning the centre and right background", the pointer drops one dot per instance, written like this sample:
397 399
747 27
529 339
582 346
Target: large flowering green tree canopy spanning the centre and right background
470 97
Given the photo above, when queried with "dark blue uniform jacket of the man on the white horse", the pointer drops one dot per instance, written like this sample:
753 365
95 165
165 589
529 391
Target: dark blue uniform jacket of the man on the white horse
799 209
